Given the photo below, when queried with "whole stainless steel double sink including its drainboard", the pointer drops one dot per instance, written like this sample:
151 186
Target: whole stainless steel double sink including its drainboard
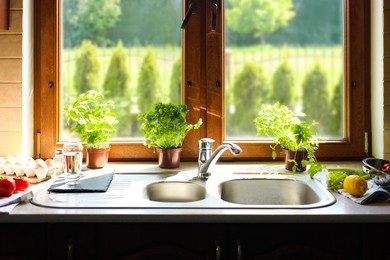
184 190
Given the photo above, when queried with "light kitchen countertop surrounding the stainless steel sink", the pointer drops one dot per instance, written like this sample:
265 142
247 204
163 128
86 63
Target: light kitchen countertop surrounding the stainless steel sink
343 211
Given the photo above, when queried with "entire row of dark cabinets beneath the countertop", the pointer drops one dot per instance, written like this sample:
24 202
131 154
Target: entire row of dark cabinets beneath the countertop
194 241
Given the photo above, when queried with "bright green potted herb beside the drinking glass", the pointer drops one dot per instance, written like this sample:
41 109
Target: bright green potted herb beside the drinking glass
95 123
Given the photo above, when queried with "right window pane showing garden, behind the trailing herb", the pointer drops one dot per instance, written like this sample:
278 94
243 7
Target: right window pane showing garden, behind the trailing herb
284 51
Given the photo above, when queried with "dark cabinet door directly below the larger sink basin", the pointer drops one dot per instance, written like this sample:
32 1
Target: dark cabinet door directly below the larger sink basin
295 241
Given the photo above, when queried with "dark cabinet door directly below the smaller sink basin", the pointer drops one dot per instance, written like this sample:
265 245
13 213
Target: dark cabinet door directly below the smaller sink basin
162 241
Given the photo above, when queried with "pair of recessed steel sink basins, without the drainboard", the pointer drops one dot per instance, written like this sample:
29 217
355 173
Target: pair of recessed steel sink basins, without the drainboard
252 191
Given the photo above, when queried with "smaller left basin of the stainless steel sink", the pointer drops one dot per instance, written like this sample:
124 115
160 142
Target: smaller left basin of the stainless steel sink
173 191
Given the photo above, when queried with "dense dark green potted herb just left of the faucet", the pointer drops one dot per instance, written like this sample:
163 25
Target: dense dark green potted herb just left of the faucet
165 127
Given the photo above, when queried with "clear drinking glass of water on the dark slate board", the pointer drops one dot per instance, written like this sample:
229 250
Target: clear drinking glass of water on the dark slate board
73 159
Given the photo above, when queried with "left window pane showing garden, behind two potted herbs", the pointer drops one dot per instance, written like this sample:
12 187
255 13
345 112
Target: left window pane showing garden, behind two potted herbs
128 50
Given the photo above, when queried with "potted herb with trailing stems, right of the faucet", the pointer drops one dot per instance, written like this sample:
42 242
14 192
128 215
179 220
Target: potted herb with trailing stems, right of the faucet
293 135
